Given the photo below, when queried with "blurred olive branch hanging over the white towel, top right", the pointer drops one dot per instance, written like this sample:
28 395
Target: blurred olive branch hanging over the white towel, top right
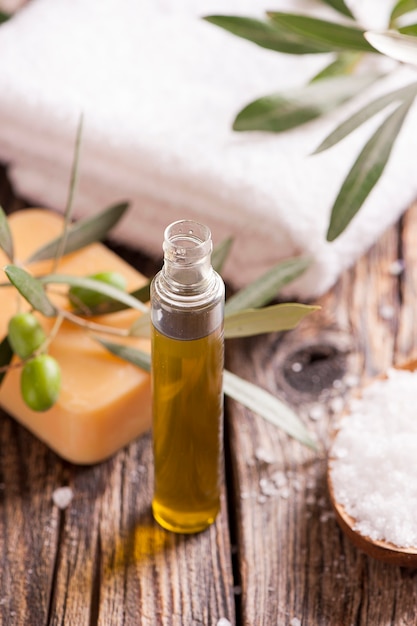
340 81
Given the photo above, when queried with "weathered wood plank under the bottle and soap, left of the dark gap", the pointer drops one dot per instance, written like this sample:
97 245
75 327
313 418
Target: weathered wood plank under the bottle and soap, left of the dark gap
103 560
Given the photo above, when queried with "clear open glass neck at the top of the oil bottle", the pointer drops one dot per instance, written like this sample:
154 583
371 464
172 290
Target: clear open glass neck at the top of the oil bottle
187 256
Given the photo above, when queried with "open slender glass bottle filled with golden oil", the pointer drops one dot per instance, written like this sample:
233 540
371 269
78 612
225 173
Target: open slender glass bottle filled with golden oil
187 308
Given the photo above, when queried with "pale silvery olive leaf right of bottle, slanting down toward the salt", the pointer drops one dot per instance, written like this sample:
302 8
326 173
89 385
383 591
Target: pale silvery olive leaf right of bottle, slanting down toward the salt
267 406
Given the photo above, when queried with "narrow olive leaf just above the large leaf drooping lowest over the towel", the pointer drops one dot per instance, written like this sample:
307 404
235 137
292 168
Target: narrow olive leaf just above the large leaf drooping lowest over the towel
364 114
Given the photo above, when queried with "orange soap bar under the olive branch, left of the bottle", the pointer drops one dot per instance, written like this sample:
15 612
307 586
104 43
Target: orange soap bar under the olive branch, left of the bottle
104 402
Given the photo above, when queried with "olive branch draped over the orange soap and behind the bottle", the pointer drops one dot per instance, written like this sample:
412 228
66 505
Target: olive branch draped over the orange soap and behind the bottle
248 312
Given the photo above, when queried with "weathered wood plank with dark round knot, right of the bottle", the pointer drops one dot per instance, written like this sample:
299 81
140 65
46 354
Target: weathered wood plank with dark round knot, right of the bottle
294 560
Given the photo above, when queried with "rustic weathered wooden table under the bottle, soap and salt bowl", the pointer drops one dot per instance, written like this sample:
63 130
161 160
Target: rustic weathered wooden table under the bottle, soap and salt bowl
275 554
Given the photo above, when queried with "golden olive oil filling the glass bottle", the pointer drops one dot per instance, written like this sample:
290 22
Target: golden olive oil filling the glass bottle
187 430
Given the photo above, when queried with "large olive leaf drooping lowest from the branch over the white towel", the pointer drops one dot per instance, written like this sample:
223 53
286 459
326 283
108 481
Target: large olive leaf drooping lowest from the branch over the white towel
366 171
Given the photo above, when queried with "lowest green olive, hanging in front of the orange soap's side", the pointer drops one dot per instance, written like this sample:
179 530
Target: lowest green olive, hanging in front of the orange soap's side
40 382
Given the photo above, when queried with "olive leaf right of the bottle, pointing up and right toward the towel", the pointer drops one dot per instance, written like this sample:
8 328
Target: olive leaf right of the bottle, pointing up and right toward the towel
264 289
